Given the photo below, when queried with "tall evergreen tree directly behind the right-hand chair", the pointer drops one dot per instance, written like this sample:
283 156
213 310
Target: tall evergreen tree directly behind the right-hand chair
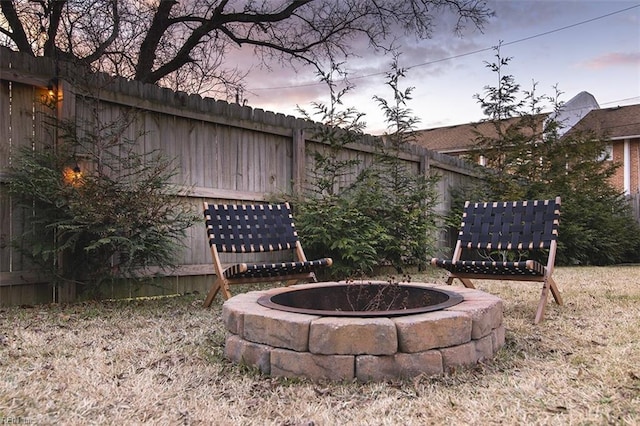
528 156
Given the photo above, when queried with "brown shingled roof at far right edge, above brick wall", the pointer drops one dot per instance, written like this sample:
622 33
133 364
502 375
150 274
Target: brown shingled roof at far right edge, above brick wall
615 123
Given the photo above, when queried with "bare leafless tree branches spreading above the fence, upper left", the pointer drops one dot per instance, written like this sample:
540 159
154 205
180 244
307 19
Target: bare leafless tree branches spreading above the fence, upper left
153 41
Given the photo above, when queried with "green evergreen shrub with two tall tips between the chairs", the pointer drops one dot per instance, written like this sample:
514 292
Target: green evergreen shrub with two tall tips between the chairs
363 217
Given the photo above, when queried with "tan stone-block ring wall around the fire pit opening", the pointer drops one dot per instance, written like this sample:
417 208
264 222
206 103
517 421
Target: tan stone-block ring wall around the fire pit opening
368 348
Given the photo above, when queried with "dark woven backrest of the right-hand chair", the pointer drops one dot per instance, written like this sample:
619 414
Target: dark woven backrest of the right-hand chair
517 225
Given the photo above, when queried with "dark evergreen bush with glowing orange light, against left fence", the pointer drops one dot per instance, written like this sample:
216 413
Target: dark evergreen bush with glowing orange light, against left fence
96 209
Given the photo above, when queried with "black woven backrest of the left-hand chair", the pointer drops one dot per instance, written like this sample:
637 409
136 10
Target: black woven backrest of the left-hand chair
250 228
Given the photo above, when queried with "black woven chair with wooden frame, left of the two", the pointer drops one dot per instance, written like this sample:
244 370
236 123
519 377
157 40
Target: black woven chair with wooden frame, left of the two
241 229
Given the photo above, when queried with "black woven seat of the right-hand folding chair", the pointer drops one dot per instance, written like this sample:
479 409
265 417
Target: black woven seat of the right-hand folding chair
488 267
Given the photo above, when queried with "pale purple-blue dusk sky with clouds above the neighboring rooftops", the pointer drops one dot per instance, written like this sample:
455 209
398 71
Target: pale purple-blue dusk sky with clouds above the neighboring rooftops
578 45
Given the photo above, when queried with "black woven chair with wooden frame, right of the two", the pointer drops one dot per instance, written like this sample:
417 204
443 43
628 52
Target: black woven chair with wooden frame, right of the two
528 229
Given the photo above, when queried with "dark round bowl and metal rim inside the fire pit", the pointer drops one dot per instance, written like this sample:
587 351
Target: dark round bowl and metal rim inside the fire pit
361 300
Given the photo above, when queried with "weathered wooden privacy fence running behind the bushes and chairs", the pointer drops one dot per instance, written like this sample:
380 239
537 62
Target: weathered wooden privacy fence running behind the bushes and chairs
226 152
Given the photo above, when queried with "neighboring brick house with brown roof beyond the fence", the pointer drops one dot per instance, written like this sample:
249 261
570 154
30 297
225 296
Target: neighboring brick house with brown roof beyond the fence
619 125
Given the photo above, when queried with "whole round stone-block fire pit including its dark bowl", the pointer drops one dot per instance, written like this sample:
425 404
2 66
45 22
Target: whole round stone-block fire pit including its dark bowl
275 332
